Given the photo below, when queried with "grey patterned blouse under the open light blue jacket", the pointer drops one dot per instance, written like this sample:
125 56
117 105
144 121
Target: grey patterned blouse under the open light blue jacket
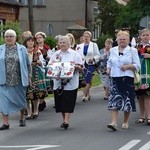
13 74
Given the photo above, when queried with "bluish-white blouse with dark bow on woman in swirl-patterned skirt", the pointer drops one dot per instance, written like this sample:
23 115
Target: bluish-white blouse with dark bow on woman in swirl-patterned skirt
130 56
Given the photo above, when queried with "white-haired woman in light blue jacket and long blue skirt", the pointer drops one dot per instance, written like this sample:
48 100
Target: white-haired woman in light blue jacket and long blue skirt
15 72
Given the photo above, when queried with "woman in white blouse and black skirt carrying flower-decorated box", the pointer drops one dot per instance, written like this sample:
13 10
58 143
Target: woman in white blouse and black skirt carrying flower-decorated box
65 91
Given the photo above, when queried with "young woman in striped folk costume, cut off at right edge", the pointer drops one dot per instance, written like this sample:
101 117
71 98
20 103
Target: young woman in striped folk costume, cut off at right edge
143 89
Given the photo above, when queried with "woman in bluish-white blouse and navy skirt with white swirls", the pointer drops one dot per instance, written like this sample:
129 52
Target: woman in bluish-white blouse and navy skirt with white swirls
123 60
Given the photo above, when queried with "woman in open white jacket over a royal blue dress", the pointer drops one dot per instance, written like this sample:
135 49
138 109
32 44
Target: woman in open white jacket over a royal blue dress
88 50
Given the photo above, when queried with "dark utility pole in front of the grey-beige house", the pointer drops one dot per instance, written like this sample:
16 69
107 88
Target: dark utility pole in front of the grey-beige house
30 16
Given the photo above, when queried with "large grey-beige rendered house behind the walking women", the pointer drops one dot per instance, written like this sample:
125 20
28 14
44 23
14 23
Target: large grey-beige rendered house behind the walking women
54 16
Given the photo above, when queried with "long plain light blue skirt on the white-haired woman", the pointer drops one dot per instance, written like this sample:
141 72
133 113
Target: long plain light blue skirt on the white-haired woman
12 98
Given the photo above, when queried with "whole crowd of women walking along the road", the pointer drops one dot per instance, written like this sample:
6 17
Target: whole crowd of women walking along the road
24 82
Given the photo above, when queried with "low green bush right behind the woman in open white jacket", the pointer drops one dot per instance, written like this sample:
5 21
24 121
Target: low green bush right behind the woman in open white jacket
101 40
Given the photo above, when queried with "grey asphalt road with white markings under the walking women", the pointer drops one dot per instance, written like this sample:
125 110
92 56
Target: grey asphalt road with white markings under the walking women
88 130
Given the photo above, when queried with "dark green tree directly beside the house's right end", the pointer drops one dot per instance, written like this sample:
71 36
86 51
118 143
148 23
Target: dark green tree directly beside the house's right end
108 12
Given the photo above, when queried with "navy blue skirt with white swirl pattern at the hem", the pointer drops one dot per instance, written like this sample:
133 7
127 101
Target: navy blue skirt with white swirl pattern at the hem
122 95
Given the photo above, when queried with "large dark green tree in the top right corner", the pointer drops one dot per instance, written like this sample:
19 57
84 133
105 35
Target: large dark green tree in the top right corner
131 14
